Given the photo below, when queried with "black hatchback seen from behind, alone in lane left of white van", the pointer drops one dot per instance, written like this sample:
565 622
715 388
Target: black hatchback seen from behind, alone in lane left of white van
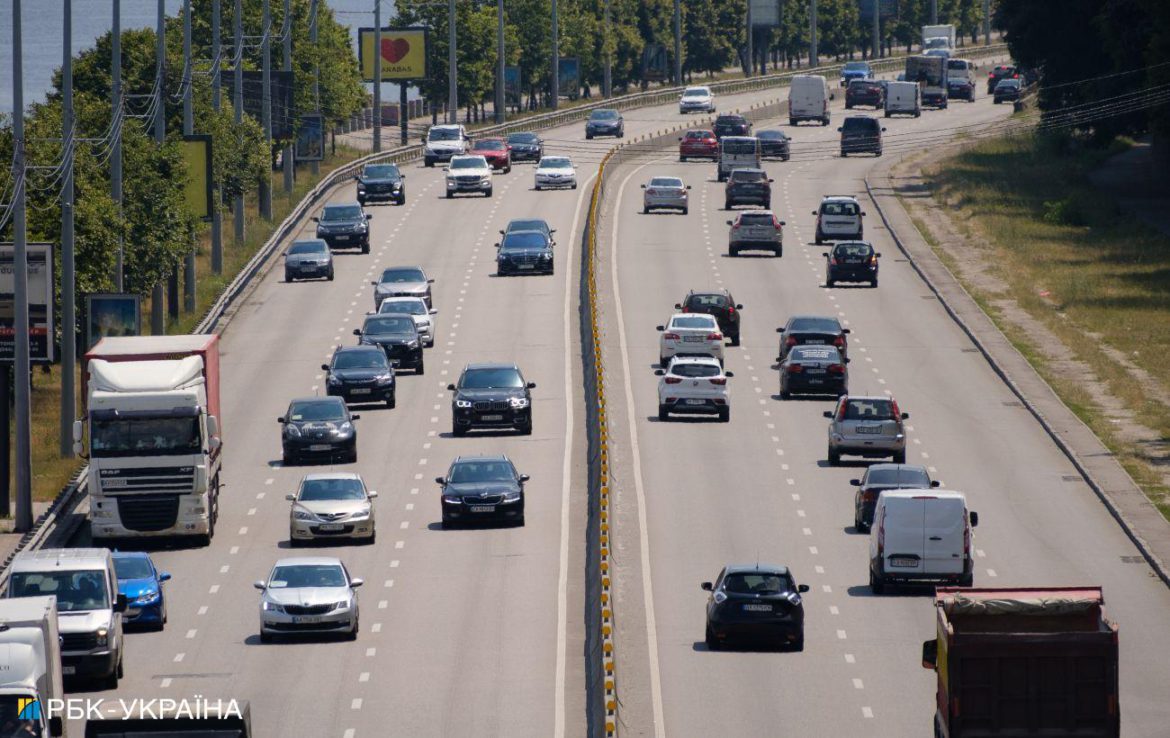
755 603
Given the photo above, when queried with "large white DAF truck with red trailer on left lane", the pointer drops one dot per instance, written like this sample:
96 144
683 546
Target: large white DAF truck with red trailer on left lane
152 431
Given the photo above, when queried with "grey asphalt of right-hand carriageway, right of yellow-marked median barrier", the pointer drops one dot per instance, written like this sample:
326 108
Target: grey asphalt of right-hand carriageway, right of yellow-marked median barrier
696 495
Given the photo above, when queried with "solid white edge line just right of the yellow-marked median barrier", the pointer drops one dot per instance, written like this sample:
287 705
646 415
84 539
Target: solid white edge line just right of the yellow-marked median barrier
643 532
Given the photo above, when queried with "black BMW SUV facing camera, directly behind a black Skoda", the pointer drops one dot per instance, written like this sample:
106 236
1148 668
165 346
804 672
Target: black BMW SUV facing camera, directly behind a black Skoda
492 396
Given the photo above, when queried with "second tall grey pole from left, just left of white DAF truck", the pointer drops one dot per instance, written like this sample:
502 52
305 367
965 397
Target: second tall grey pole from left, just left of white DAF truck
68 279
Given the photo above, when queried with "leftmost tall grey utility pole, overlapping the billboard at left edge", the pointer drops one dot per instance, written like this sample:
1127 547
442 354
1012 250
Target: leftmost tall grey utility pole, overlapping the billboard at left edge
23 367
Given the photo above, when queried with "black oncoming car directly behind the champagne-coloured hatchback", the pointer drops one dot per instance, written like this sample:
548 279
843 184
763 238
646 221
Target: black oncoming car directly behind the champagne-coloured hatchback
319 430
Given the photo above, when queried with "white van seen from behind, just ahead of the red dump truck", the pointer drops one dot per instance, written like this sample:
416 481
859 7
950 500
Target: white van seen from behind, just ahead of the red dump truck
921 536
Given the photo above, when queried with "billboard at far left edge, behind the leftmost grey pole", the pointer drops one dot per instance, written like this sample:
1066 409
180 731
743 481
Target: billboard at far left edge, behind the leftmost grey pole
40 304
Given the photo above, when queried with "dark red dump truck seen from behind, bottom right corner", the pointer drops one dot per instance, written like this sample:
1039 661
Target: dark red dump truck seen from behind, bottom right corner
1036 661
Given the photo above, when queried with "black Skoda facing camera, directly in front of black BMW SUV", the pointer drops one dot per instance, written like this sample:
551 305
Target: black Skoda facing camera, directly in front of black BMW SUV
483 489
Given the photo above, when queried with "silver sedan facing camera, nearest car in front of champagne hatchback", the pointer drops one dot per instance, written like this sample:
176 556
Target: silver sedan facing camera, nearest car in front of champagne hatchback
308 595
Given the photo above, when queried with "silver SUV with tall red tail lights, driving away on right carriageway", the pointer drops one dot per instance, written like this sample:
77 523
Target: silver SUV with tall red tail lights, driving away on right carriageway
866 426
